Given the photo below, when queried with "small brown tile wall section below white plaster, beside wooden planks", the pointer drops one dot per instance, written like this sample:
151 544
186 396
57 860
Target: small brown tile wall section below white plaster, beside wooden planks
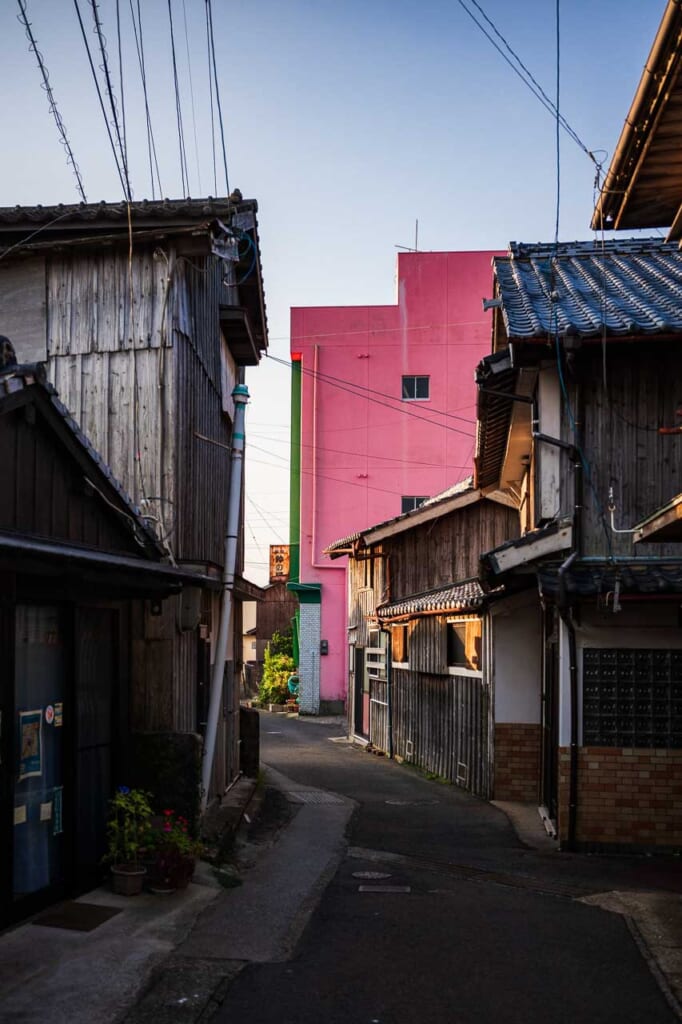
518 762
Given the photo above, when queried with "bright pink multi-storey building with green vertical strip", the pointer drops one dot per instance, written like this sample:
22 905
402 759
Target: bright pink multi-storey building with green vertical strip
386 401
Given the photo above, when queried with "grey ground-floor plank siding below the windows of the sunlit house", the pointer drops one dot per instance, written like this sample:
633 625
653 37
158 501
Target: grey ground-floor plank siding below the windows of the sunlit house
442 724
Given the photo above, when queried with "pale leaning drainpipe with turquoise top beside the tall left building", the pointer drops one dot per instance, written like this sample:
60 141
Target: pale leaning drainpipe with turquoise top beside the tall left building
241 398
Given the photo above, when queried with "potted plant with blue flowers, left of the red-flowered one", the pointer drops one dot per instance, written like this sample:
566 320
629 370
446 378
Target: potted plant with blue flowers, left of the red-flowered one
127 832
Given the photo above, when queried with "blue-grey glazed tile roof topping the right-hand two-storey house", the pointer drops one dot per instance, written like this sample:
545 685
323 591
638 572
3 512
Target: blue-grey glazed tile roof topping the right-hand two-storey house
631 288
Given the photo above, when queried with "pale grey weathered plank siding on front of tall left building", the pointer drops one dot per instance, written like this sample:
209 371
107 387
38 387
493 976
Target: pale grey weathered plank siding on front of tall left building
114 369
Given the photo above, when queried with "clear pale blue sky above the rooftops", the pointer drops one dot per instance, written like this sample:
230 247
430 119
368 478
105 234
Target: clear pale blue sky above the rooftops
348 121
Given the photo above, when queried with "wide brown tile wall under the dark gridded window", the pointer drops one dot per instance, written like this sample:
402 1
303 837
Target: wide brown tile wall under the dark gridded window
626 797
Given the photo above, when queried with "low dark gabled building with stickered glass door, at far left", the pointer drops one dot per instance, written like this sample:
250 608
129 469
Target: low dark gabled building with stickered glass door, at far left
77 562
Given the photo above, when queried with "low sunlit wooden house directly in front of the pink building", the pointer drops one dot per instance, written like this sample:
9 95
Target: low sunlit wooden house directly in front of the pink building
421 675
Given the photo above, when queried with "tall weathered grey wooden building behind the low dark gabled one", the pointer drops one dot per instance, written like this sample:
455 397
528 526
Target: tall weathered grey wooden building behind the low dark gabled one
147 317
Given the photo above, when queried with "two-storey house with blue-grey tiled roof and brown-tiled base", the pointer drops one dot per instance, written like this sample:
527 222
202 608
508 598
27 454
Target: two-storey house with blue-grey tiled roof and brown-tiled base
577 412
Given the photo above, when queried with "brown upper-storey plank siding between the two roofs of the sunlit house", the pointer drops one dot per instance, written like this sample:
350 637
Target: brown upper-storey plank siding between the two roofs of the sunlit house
448 549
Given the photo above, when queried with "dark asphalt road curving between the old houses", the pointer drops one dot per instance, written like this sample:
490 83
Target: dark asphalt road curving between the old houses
480 930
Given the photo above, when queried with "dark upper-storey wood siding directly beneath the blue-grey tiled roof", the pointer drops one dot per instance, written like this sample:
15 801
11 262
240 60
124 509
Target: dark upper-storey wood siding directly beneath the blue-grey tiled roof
622 443
